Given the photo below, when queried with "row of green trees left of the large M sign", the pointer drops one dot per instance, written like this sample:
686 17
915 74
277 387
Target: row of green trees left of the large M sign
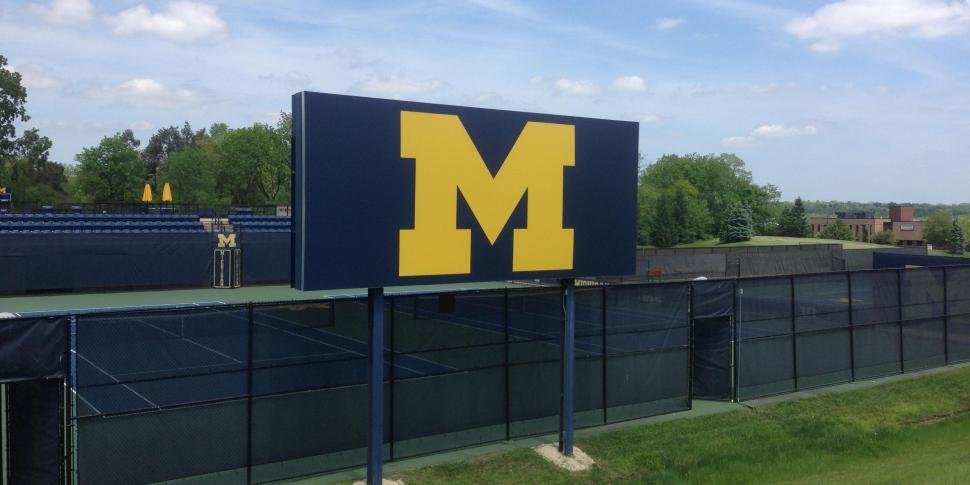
214 166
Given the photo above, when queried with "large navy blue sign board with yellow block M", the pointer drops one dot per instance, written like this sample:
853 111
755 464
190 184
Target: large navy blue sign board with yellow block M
398 193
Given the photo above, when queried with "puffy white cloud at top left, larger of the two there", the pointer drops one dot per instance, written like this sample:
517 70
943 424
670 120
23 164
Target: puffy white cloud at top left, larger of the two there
180 21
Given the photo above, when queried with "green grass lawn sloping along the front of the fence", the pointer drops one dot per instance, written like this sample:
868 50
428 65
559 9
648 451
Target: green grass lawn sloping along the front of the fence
911 431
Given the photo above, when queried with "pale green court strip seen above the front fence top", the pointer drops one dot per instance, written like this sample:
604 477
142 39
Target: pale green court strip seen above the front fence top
114 300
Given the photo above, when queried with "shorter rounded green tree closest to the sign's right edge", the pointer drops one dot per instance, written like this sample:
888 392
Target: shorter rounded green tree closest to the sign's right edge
677 215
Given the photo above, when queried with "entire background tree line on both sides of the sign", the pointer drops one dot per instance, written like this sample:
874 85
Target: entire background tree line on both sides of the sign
681 198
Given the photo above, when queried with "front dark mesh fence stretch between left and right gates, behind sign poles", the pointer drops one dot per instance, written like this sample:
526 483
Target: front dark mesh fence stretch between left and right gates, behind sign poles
256 393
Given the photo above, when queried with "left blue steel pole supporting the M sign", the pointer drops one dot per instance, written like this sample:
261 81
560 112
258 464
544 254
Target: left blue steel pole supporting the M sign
375 359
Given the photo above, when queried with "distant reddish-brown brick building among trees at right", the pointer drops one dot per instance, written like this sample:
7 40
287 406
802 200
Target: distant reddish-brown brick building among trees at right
864 225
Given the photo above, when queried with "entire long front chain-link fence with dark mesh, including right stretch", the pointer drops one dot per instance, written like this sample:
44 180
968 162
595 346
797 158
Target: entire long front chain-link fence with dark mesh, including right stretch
263 392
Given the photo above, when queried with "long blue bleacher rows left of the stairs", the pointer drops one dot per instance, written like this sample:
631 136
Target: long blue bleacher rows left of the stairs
98 223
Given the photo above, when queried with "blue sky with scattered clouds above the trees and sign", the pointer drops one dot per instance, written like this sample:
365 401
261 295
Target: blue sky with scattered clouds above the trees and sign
851 100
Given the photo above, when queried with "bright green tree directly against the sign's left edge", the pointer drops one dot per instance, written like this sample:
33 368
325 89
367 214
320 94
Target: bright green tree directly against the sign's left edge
255 165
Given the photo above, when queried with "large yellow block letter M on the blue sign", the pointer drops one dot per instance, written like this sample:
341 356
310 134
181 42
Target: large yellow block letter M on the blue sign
446 161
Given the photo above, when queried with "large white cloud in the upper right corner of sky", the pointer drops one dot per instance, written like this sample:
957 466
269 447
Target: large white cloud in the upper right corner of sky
830 26
